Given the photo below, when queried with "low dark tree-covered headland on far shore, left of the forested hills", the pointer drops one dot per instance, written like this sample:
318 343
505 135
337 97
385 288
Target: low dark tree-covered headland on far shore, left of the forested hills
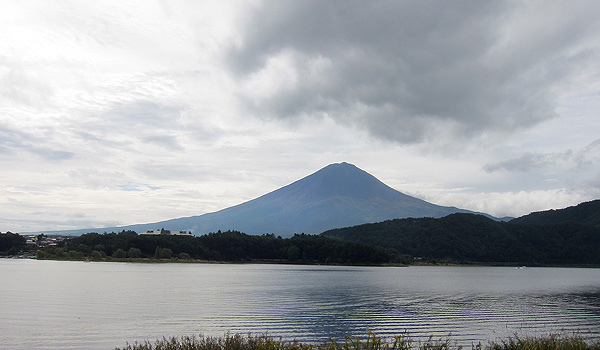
220 246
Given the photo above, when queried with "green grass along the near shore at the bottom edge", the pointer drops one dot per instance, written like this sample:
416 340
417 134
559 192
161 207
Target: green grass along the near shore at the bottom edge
372 342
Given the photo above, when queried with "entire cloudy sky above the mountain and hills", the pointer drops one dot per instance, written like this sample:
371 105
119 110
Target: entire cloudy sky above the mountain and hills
123 112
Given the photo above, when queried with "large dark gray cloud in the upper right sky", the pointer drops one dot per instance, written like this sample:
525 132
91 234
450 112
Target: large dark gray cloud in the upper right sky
413 71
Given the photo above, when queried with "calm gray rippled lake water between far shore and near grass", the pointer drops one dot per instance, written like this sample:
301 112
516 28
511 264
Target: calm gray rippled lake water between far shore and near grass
78 305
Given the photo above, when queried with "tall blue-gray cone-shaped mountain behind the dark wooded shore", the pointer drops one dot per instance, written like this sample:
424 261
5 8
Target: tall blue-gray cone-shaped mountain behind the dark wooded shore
338 195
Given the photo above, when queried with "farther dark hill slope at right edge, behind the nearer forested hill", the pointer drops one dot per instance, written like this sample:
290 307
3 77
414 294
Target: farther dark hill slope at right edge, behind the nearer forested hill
587 213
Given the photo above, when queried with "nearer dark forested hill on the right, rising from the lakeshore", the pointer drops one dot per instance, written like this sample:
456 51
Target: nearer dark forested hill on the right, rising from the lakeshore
468 238
